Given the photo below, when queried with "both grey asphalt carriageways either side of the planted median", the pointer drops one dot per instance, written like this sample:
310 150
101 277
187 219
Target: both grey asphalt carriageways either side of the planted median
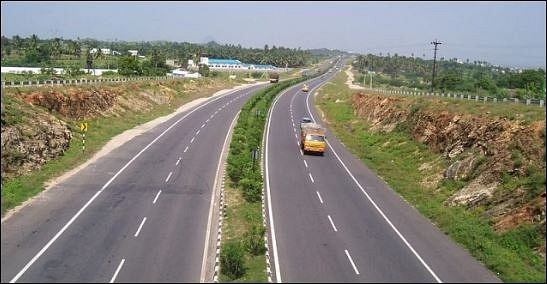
142 213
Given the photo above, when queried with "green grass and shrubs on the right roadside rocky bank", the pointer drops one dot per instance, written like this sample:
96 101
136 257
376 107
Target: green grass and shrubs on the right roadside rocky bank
397 158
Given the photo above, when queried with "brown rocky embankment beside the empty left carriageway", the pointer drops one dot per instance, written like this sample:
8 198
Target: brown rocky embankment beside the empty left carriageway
38 124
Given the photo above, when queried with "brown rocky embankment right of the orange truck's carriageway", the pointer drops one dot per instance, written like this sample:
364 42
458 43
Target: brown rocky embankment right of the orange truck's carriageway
480 150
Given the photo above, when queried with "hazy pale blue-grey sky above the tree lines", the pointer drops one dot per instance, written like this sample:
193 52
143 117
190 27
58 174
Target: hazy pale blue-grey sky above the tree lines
509 34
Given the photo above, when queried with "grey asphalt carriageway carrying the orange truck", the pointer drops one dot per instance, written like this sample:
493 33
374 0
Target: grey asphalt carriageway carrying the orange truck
331 219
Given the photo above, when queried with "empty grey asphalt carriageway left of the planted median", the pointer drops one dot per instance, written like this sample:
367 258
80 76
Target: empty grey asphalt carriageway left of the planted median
140 214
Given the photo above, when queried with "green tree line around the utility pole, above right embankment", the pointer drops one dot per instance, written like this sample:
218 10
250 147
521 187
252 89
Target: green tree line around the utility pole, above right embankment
479 77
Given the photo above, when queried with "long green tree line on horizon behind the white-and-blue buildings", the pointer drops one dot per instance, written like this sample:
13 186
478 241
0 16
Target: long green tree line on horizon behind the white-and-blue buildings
76 54
